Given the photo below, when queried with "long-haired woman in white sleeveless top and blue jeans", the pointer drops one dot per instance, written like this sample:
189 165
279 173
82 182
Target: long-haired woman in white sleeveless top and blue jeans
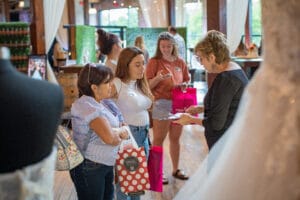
133 97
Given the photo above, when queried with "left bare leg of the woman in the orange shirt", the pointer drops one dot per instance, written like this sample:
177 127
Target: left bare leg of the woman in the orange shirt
174 136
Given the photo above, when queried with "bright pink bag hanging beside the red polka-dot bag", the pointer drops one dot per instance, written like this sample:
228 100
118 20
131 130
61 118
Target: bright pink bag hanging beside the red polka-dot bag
155 168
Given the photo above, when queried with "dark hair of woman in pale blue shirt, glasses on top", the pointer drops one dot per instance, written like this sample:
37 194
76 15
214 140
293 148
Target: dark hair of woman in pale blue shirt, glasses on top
93 74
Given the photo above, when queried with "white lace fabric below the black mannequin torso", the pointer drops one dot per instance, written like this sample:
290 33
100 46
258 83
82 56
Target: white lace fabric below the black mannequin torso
34 182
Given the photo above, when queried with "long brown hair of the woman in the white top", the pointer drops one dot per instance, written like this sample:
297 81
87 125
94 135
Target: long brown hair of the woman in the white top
122 71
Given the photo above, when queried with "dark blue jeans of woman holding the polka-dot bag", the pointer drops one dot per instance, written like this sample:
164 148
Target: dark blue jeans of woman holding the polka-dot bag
93 181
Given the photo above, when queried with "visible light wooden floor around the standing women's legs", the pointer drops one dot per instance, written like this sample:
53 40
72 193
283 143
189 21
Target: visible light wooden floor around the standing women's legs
193 151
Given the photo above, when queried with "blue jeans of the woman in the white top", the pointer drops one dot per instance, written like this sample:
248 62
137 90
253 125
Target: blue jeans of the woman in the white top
140 134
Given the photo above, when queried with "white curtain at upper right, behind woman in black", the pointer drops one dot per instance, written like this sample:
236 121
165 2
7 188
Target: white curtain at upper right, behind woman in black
236 18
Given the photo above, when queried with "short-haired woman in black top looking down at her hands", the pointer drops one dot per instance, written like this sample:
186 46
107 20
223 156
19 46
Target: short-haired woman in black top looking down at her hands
223 97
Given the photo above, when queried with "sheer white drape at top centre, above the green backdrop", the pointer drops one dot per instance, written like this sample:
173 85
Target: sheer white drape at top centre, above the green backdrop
155 13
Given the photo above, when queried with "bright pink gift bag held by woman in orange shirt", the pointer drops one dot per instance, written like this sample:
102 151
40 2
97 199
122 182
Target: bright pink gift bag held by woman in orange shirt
182 99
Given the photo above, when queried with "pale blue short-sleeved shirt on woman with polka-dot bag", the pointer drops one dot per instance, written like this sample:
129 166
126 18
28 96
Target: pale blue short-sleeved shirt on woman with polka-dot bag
83 111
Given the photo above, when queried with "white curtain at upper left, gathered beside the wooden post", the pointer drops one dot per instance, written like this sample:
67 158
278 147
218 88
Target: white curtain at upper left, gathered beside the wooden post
52 15
